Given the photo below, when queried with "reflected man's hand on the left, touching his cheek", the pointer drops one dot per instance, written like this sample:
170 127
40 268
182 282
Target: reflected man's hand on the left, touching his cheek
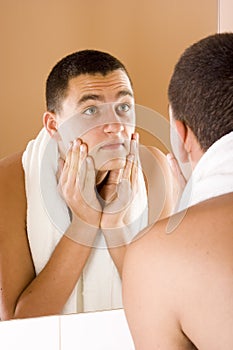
77 187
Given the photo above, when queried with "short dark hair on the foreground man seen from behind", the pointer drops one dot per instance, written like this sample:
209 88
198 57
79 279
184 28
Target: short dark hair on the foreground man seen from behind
201 88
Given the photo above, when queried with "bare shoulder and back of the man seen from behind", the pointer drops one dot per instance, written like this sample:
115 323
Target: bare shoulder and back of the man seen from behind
184 275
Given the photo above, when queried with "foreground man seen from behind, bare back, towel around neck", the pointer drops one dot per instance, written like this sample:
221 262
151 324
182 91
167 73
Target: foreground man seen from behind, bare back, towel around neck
177 279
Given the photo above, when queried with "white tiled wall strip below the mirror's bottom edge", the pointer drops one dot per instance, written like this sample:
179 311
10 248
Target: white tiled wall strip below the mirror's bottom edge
106 330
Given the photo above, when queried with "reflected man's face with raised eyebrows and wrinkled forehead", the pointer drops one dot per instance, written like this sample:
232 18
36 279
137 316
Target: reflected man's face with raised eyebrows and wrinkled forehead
100 110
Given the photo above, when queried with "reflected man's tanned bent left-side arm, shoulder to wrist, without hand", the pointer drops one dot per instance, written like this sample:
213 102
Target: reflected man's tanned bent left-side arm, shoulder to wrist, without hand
22 294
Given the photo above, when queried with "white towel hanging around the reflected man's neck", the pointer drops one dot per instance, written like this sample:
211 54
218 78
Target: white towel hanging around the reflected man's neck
99 287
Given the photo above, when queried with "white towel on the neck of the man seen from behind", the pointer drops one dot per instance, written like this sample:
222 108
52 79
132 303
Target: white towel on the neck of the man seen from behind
213 174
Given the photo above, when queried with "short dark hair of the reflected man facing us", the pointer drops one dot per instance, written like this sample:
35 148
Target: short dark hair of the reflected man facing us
73 65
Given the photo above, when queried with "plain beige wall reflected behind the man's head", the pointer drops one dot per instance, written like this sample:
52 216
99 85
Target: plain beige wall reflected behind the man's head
148 36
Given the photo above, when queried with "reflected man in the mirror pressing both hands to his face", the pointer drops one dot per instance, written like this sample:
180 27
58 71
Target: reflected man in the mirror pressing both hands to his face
61 250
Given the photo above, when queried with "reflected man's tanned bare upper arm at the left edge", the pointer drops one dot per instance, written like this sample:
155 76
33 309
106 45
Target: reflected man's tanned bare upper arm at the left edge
16 267
